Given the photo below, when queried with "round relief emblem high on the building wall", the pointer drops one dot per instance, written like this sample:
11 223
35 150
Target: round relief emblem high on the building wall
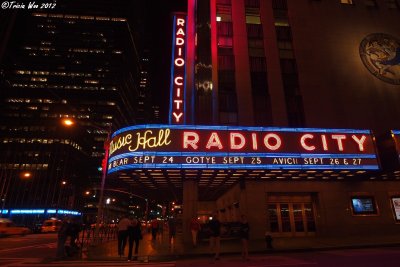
380 53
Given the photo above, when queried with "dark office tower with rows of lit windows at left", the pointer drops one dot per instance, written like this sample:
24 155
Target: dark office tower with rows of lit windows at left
77 64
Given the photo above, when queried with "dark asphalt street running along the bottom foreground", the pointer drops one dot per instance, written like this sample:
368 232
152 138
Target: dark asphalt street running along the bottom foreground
39 250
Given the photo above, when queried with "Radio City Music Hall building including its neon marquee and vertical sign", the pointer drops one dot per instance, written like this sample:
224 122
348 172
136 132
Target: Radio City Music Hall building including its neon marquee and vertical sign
303 65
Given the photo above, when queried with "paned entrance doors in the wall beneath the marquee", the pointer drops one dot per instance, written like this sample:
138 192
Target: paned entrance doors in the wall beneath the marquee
291 215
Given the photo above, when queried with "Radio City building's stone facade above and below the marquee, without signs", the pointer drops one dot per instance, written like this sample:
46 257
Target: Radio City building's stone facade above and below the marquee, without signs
329 64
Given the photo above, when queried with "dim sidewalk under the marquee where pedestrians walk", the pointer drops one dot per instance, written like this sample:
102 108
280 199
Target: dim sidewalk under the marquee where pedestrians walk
161 250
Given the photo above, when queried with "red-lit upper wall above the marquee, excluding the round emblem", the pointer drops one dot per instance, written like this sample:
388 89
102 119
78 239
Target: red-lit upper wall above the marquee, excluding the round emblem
298 63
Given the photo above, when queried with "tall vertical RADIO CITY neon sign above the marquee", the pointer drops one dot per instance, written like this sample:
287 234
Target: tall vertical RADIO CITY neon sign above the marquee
178 65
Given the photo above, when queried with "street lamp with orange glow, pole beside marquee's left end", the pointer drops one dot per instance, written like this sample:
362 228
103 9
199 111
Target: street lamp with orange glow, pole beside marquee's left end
100 207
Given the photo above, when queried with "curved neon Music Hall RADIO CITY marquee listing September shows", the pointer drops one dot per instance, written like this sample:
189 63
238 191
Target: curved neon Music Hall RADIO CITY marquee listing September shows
222 147
